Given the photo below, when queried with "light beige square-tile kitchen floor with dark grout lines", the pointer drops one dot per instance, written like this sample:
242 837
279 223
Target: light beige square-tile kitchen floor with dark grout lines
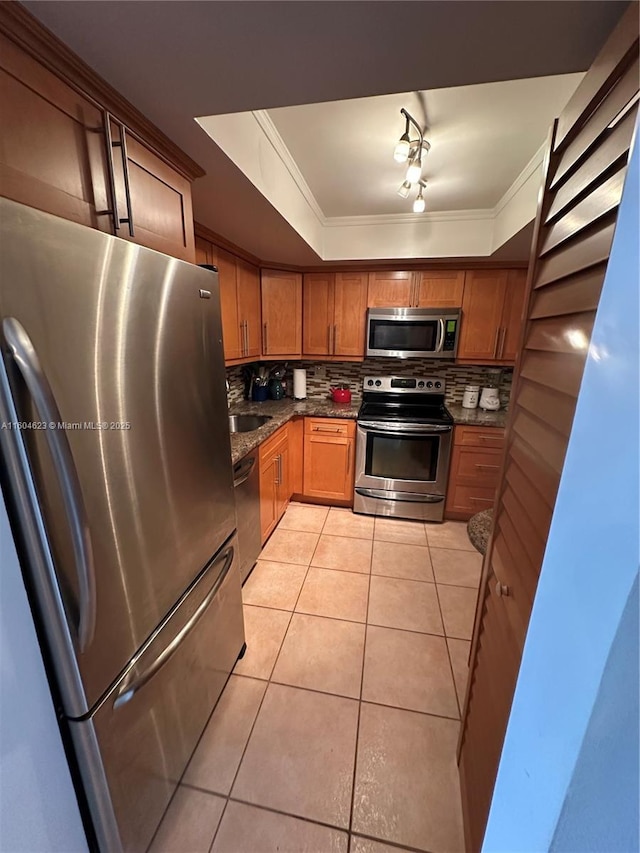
337 732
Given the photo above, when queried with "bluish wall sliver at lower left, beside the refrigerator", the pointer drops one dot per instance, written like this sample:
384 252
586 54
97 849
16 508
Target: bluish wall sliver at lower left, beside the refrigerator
38 807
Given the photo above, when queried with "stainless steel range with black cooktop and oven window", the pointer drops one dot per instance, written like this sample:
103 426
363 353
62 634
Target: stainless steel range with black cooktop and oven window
403 447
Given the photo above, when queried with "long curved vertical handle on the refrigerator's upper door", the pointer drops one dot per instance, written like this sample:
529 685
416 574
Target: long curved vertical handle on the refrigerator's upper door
28 363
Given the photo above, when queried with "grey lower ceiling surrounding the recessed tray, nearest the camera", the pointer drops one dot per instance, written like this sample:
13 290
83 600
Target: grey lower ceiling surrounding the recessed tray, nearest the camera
177 60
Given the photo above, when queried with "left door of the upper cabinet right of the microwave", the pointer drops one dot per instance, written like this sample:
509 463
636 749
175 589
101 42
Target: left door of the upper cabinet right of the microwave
482 314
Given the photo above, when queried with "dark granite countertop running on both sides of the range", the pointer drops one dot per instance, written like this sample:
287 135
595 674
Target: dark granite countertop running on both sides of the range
281 411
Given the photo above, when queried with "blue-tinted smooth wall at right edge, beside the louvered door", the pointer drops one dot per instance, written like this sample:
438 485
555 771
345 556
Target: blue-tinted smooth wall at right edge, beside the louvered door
568 776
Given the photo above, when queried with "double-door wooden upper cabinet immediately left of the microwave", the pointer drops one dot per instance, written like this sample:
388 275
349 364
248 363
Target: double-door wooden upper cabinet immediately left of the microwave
334 309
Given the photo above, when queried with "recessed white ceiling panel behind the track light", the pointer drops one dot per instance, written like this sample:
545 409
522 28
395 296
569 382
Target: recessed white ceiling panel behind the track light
481 138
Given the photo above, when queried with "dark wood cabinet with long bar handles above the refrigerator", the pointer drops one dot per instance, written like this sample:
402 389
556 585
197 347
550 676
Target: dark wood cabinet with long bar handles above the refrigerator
71 146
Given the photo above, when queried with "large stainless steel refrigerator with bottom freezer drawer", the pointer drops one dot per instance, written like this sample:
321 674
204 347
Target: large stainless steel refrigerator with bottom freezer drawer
117 471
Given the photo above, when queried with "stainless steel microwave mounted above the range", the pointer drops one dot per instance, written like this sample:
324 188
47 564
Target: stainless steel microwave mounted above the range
413 332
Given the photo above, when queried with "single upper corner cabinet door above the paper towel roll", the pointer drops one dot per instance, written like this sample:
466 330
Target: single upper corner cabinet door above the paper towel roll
281 314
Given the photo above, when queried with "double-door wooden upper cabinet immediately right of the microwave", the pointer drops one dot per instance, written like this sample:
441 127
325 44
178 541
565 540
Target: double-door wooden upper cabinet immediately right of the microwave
492 309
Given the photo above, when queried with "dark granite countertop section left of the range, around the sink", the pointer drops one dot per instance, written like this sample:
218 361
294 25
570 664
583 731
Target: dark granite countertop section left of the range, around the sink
280 412
